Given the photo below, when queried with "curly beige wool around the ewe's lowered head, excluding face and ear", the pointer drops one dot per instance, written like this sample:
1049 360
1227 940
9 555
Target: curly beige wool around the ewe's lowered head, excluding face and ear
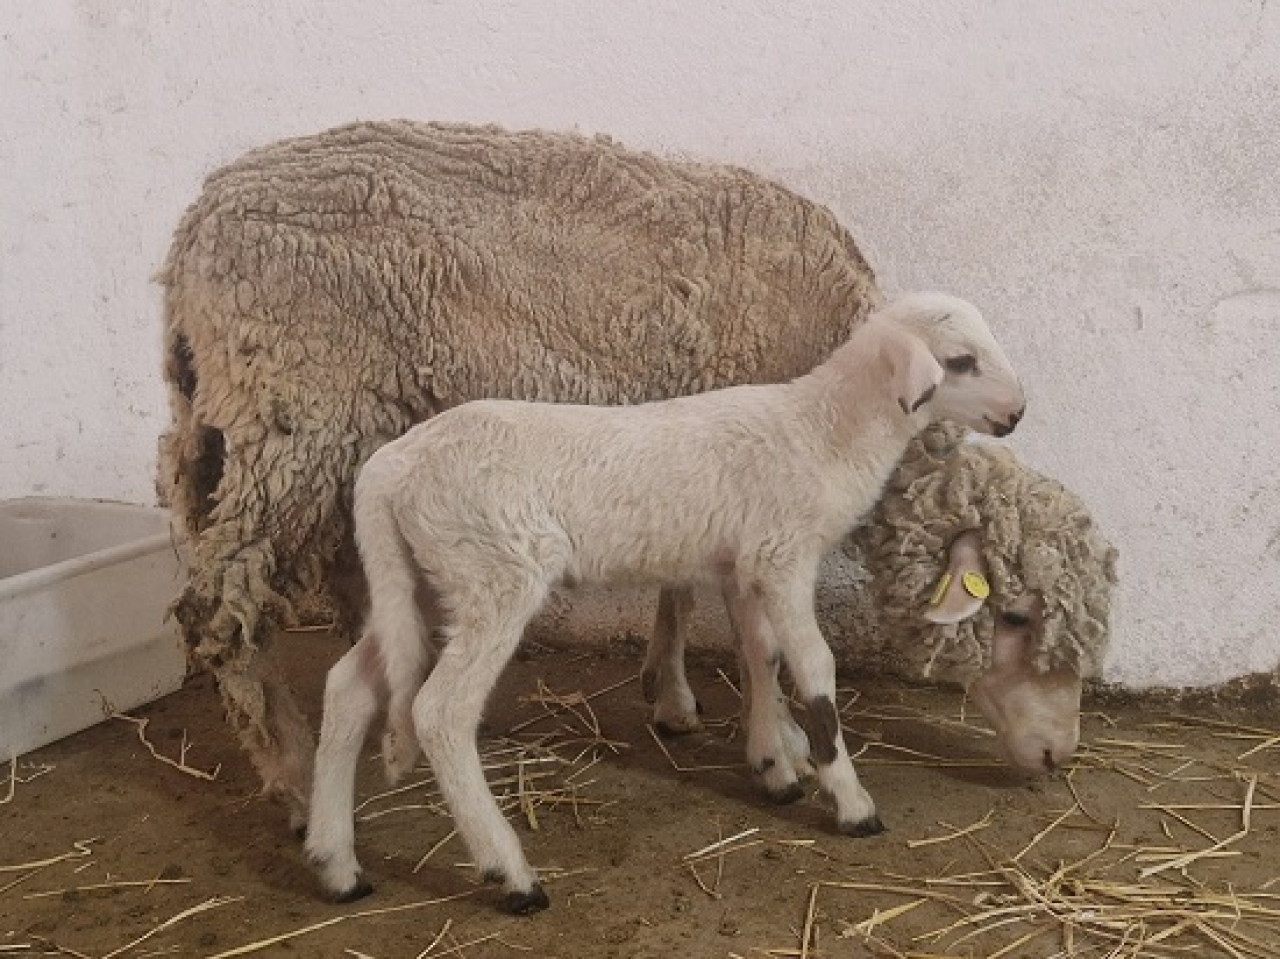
1037 536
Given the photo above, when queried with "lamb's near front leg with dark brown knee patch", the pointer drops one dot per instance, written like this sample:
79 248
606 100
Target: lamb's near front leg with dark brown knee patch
790 614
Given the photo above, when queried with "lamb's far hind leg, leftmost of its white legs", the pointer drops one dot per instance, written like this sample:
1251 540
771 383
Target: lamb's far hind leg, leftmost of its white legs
351 704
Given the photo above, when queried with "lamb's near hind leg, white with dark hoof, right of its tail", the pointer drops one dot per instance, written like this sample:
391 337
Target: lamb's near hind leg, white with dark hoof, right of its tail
447 715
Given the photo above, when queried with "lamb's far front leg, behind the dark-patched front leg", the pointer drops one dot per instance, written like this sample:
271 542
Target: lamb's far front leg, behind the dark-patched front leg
758 656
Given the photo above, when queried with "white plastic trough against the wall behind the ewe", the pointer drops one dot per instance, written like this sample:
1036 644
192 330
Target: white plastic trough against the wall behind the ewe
84 592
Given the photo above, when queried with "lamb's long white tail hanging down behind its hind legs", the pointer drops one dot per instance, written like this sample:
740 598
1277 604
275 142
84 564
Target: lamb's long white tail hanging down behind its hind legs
395 619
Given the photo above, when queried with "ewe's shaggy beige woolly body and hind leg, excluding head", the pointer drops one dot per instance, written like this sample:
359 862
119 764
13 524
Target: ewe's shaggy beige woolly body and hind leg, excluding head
326 294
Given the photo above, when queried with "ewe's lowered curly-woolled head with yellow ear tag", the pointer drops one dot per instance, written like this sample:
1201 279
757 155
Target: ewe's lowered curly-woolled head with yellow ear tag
1030 622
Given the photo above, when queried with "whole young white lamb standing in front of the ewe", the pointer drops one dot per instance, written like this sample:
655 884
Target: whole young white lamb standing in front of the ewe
495 503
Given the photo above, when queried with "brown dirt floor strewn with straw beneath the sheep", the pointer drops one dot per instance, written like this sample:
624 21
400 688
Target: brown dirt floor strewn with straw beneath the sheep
1162 842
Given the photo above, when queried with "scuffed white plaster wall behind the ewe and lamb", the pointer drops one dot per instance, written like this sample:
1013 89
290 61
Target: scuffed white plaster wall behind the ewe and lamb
1101 177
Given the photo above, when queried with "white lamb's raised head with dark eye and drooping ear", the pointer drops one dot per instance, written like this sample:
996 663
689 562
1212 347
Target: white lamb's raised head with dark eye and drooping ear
952 364
